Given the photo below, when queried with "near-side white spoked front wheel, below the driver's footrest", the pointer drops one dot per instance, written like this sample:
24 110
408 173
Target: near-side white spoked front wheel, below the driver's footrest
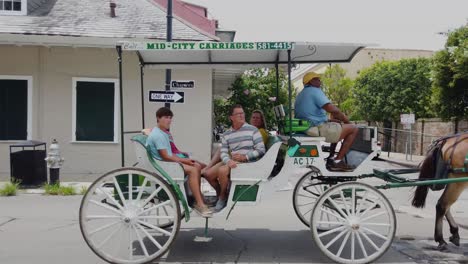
364 227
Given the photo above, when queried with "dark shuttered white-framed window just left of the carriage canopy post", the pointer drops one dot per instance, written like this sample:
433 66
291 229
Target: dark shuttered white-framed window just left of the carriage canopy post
95 110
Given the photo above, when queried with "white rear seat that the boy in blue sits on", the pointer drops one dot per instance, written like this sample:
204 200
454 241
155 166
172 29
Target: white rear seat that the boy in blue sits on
174 169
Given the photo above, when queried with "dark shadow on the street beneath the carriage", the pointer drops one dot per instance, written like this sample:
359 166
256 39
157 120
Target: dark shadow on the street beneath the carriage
253 245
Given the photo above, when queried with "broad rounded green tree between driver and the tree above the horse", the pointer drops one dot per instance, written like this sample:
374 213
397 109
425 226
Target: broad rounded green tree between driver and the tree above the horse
390 88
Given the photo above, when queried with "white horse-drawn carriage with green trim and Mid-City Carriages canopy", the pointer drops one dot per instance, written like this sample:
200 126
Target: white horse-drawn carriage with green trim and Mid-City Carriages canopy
133 214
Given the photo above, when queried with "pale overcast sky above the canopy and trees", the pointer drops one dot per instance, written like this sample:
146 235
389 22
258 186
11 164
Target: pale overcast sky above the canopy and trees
401 24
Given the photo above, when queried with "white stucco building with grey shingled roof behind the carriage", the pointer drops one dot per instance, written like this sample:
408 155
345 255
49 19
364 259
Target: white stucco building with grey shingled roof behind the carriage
59 80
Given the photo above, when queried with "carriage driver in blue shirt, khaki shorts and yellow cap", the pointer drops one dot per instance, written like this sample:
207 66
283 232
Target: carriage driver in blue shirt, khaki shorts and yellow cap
312 105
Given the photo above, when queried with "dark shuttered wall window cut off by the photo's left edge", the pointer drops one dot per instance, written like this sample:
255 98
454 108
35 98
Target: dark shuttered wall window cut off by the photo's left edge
15 107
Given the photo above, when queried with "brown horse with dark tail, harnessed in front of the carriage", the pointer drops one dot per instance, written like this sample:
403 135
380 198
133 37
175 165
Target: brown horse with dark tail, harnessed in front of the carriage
453 150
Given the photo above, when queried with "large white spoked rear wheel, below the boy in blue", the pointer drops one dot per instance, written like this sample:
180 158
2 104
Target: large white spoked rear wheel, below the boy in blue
121 212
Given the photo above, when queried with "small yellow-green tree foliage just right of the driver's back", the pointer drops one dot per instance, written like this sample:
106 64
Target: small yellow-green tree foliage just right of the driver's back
338 89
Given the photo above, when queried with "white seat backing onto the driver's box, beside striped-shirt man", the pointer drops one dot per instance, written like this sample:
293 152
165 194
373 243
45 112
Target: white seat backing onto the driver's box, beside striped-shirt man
257 170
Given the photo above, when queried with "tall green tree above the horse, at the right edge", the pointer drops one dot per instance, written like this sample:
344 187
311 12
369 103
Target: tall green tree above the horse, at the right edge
450 85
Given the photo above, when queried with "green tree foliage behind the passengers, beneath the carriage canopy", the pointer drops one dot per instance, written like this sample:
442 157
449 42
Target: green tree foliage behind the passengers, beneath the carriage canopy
255 89
